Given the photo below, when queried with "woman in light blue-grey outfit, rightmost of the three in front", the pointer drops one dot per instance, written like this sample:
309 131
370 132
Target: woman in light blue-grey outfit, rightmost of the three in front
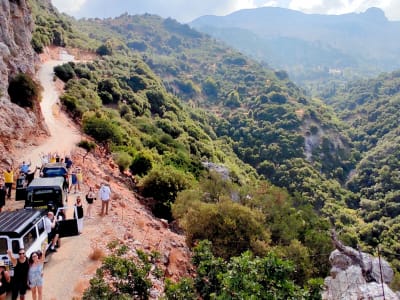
35 275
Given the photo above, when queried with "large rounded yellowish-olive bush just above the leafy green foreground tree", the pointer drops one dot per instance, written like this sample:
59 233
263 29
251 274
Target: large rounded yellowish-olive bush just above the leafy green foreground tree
231 227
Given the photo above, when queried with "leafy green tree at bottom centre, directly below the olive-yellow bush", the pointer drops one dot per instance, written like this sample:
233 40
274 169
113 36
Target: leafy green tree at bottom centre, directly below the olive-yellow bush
244 276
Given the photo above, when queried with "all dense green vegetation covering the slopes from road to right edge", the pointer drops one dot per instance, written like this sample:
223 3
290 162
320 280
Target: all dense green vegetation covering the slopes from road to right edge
235 152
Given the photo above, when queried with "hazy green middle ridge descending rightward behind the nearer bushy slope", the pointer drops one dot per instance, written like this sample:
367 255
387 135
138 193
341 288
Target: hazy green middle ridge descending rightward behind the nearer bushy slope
240 92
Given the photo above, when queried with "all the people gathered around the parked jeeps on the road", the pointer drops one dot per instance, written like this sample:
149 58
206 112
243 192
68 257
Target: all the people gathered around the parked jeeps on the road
28 272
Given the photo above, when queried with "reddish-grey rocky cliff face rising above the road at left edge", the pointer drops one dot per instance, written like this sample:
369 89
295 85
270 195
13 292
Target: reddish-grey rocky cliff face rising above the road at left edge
17 125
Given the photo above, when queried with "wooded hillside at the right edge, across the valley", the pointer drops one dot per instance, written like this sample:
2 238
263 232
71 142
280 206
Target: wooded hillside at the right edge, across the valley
371 110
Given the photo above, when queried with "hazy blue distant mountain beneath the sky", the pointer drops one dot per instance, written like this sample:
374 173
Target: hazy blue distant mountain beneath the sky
311 47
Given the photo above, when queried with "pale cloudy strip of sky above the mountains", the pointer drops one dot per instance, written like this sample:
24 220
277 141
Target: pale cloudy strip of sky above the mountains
187 10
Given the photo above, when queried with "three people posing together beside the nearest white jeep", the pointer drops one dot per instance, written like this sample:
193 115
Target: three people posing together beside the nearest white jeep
28 273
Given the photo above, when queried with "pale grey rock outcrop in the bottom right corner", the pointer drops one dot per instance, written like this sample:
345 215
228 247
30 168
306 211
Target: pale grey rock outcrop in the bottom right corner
357 275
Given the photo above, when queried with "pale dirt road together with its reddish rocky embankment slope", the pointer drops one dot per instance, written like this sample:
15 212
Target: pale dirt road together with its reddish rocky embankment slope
68 271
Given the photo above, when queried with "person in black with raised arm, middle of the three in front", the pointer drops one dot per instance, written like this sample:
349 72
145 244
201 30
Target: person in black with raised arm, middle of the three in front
19 282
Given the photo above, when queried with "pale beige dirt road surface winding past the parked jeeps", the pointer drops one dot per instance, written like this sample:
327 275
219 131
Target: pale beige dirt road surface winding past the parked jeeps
66 267
